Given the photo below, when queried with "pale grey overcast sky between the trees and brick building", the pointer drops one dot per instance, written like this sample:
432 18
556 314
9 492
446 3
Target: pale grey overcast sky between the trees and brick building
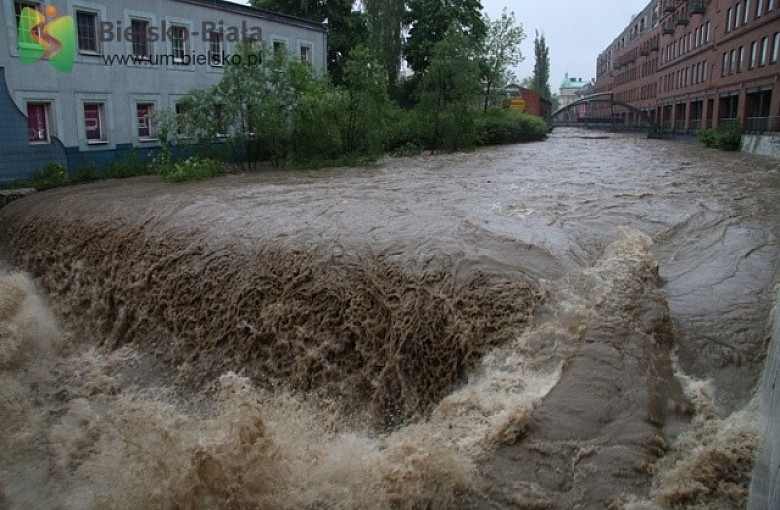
576 31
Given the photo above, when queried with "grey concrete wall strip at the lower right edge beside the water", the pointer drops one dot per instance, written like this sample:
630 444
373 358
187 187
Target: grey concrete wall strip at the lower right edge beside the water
765 488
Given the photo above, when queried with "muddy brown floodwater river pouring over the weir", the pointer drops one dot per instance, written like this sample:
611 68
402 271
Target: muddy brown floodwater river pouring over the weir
538 326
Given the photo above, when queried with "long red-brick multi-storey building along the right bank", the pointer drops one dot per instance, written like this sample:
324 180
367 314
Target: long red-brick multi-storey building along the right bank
698 63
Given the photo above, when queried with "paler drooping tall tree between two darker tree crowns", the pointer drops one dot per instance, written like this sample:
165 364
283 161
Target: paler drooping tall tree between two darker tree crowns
385 22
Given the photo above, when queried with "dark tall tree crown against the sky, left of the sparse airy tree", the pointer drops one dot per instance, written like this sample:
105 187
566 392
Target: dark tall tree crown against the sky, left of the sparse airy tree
430 21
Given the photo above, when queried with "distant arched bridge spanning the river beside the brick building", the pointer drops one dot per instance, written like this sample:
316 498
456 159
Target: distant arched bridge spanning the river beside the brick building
603 111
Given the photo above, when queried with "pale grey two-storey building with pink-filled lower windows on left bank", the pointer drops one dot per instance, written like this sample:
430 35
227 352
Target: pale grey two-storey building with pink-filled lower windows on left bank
93 98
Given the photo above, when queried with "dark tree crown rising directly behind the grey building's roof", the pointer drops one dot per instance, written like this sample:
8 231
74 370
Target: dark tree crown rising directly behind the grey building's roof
347 26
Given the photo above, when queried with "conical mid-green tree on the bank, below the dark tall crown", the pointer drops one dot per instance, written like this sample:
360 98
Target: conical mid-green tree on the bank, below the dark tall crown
448 93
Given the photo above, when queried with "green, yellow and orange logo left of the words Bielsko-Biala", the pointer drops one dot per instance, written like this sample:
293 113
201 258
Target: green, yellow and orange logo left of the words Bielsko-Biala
55 40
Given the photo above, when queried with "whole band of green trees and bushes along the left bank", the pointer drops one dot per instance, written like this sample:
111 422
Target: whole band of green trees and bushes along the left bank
284 111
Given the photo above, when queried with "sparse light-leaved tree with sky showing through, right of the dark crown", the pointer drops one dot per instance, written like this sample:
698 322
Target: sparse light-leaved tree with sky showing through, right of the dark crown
500 52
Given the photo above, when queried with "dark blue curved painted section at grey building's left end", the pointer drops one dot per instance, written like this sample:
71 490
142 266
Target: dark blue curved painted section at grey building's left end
18 158
